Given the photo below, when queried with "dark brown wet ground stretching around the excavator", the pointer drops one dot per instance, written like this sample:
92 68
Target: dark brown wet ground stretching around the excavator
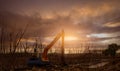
84 62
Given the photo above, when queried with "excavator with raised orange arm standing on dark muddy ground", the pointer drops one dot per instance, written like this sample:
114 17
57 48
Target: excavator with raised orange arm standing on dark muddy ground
44 61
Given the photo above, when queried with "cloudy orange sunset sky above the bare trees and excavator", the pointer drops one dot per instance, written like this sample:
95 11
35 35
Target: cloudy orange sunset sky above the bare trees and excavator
95 21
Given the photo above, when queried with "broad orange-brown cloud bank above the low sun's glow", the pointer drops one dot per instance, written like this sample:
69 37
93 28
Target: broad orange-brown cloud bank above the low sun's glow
81 18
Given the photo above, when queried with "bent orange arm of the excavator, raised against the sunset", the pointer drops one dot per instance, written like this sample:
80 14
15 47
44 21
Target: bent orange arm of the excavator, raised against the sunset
44 54
